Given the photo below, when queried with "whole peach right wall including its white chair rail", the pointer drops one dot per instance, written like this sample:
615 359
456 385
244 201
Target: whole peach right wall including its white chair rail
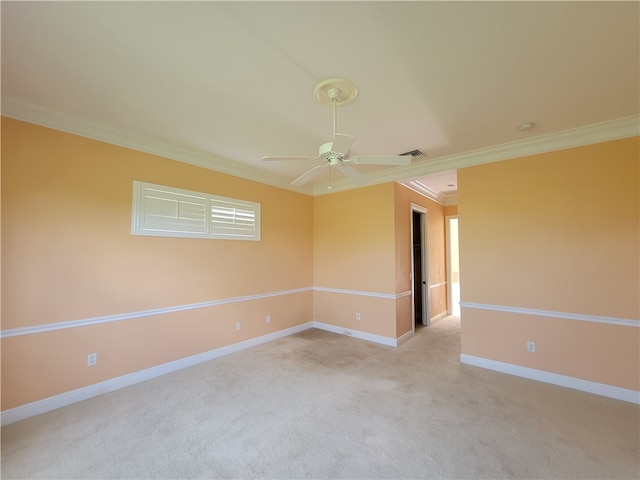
549 253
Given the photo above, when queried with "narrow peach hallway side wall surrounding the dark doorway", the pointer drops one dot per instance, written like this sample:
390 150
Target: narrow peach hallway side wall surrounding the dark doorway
437 292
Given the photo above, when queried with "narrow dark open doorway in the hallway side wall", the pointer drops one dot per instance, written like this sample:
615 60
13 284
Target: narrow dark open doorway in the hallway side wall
419 266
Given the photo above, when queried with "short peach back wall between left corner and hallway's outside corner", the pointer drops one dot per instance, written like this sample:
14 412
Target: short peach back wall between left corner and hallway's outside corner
353 259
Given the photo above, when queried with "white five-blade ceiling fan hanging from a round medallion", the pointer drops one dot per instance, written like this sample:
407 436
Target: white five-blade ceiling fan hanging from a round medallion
339 91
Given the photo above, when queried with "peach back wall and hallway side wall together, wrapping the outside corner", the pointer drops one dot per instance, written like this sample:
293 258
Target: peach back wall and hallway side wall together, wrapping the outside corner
362 244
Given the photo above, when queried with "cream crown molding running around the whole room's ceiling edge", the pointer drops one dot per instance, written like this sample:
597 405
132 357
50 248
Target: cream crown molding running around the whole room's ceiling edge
575 137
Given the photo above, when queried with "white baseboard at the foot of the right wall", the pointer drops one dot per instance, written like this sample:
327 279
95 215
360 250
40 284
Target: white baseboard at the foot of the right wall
556 379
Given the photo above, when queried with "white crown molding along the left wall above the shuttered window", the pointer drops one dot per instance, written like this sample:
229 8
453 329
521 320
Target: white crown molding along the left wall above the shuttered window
30 113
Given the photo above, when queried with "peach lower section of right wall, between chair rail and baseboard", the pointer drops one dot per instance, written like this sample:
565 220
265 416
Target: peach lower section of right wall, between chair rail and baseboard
597 352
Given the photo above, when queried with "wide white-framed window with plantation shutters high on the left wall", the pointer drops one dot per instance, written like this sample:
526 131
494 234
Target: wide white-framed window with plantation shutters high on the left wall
171 212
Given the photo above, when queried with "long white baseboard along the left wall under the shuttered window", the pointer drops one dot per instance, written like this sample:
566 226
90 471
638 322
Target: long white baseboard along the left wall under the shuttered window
58 401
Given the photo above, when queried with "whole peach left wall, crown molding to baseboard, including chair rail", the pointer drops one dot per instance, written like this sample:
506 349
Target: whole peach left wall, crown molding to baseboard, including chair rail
68 256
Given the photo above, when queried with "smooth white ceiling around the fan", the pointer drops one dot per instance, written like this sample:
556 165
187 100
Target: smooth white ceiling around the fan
221 84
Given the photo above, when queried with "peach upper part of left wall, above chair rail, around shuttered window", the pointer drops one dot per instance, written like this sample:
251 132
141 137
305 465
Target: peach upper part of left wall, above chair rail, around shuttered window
67 242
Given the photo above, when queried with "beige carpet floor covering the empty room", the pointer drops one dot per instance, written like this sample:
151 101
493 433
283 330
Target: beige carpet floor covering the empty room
321 405
